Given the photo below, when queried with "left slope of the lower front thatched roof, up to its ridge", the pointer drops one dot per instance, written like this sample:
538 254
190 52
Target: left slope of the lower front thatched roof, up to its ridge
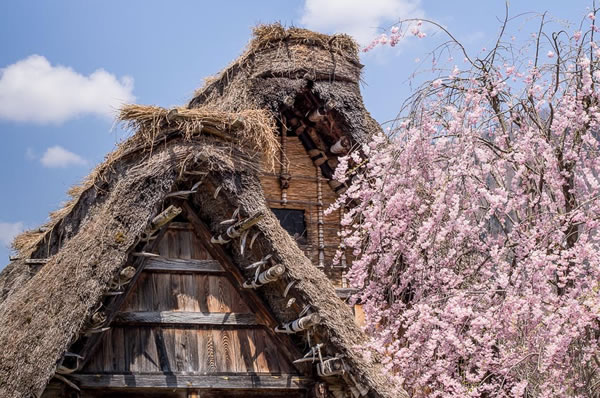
92 238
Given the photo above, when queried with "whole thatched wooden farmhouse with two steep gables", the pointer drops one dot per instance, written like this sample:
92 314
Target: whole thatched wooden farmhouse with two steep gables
196 260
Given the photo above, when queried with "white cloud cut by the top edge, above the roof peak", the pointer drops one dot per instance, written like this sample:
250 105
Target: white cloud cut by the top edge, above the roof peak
359 18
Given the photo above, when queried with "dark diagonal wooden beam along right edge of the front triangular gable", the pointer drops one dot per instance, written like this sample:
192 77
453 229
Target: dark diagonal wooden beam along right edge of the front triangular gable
237 279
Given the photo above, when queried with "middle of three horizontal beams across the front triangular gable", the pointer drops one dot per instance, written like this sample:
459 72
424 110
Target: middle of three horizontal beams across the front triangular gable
185 318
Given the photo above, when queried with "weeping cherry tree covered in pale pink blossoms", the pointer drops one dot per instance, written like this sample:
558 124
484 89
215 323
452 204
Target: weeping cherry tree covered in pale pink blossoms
475 222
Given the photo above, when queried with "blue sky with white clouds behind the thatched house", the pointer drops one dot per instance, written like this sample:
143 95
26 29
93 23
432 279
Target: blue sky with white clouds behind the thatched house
65 66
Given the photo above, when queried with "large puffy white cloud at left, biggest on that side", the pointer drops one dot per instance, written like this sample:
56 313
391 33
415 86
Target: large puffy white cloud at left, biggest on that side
33 90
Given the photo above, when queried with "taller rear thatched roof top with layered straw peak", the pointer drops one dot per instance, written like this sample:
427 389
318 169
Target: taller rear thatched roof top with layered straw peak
280 65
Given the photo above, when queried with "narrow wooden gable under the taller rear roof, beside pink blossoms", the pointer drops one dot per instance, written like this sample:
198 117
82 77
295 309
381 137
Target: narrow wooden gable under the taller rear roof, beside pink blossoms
310 144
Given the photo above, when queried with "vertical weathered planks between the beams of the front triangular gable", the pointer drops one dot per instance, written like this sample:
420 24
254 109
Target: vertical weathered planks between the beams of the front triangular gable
206 349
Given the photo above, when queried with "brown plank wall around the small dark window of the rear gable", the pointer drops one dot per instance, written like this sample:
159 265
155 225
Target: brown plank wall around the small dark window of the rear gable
302 195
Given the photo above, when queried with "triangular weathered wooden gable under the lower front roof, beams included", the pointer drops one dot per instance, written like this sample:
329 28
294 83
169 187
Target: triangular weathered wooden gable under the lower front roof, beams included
184 328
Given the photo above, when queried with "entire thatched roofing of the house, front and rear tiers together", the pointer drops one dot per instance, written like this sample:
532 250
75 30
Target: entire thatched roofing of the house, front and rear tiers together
88 242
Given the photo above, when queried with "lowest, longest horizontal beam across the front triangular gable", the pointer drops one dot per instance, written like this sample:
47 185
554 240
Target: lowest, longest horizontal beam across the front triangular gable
192 381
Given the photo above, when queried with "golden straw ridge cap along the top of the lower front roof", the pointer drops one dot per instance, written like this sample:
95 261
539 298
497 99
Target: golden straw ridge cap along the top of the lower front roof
250 129
